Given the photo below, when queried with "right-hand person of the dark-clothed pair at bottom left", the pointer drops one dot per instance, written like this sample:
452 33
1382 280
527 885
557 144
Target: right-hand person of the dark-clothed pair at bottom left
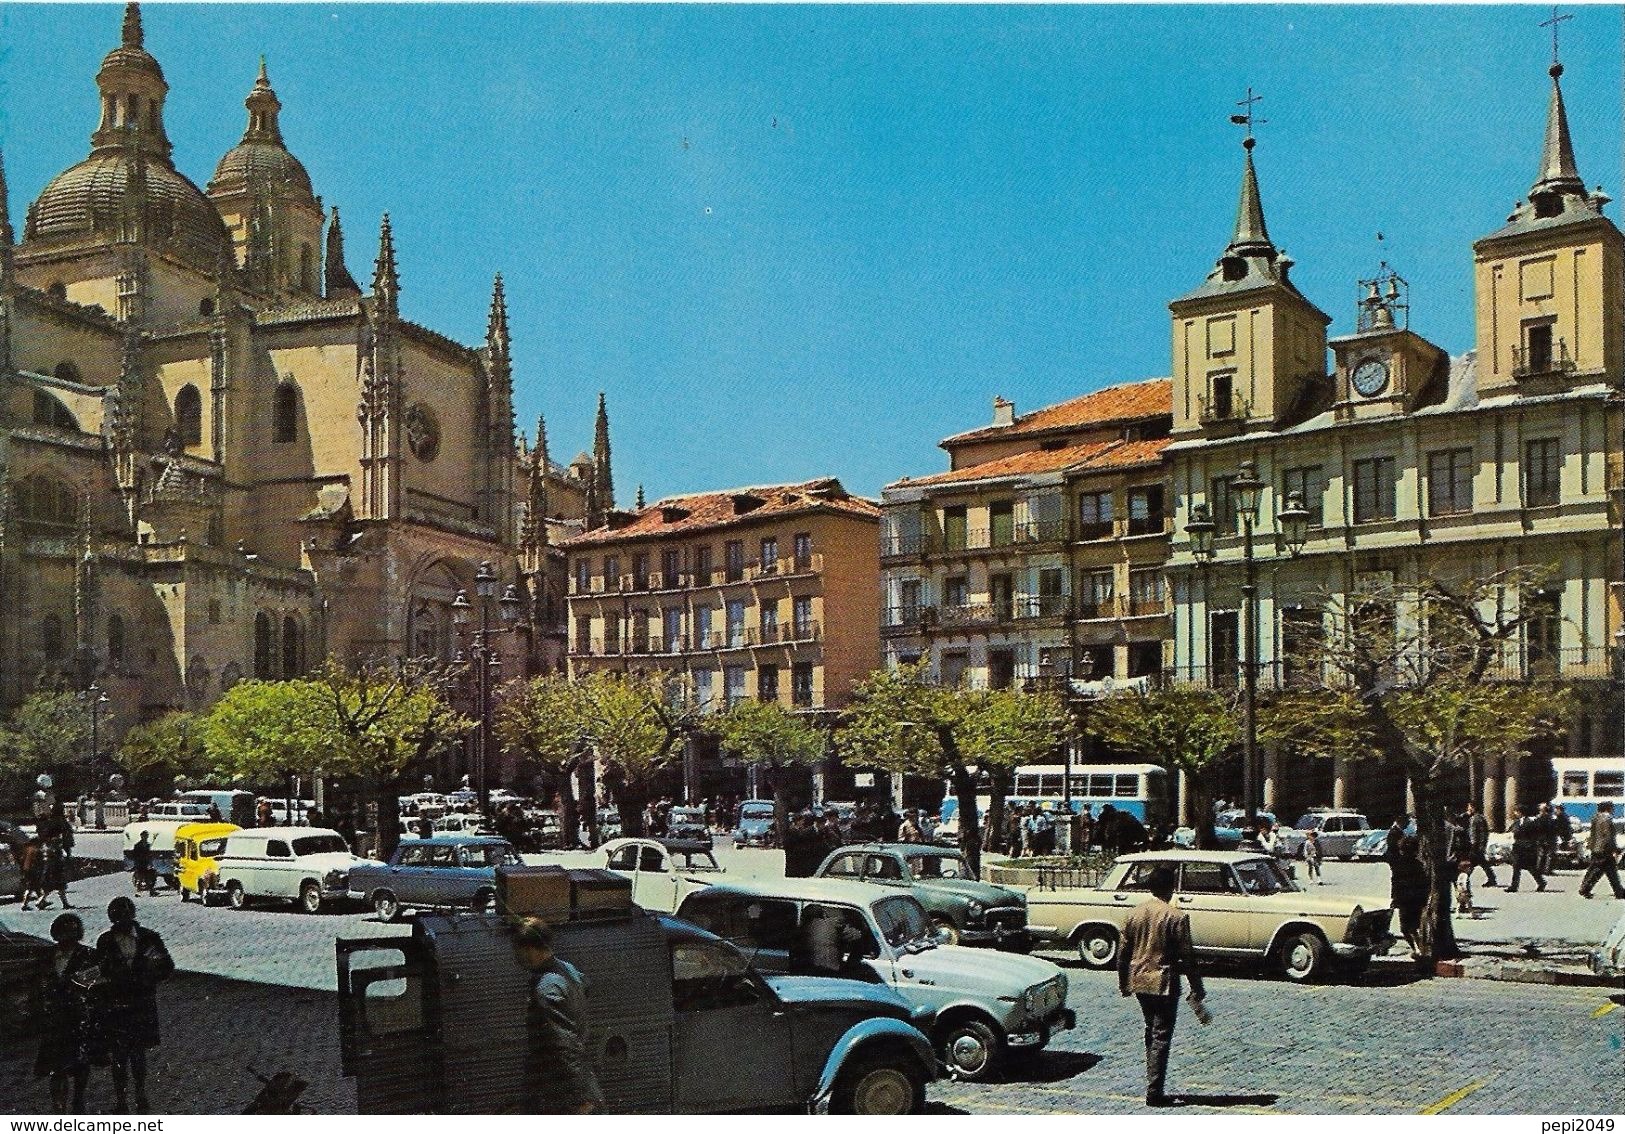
134 961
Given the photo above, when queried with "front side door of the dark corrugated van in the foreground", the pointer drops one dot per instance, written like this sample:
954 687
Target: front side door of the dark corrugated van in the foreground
732 1037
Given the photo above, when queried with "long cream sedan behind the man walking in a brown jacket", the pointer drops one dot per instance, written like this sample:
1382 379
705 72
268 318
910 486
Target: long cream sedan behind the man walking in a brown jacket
1244 906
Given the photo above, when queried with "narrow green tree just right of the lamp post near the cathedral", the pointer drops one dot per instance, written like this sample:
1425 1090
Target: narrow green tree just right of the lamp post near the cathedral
544 722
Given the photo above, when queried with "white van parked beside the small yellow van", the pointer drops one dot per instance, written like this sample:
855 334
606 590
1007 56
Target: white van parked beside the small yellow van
301 865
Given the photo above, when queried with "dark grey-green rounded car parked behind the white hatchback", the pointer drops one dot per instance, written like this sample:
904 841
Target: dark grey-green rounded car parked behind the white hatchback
966 911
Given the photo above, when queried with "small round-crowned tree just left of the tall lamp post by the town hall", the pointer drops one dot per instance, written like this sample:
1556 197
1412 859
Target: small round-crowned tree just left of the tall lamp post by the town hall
1182 729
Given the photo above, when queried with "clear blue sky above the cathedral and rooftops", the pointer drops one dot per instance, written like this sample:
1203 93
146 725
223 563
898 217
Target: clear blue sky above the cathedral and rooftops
805 241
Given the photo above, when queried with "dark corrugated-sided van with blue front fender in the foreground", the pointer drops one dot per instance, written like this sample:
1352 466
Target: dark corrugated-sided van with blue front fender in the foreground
438 1023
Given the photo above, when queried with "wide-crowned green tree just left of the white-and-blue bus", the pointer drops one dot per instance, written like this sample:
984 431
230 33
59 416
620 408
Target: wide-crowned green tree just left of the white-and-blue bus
903 722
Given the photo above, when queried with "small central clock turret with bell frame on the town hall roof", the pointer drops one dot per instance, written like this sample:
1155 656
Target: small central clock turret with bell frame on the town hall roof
1385 368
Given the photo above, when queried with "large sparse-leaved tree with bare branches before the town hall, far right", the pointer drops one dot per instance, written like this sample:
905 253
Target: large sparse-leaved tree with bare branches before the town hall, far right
1428 678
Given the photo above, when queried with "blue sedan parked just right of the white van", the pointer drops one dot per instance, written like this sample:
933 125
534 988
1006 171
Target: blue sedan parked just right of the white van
441 873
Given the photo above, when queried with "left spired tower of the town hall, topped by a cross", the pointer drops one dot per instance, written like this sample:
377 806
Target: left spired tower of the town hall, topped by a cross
1247 342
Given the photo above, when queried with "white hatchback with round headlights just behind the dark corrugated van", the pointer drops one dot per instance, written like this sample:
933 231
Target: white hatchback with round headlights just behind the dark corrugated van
981 1005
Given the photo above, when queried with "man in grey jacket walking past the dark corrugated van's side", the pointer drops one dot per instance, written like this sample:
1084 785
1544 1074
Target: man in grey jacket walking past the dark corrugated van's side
560 1070
